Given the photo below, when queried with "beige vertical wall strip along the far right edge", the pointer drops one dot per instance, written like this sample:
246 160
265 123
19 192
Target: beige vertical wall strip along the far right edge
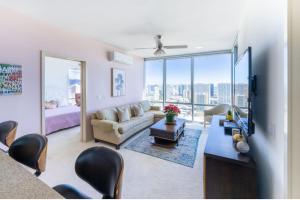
294 98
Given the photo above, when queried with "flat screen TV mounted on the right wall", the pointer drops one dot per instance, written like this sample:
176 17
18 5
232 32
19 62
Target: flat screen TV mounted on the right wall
243 92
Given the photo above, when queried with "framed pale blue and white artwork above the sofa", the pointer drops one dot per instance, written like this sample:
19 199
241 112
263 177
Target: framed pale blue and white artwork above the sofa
118 82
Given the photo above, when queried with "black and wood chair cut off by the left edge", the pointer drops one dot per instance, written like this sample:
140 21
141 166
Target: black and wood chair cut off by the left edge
8 131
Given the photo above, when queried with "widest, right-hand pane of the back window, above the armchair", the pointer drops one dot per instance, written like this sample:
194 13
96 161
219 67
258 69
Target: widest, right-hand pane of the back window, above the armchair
212 82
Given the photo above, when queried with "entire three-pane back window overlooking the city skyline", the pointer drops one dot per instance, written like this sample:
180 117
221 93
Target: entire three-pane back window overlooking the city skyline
194 83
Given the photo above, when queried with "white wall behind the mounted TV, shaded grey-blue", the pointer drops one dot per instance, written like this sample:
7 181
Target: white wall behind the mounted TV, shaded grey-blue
263 28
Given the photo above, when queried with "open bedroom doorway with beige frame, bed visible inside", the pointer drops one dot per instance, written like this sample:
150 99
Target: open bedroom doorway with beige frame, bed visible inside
63 96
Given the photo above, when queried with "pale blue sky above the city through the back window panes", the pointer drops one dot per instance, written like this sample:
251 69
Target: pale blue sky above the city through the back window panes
207 69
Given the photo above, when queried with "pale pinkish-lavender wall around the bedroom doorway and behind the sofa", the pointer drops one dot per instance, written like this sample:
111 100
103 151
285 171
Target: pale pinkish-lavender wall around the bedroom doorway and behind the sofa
22 39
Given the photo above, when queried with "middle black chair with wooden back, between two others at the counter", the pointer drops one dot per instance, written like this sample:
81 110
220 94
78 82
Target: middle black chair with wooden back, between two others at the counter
30 150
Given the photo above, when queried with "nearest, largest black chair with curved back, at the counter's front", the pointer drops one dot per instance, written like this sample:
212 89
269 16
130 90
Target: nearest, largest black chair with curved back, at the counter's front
100 167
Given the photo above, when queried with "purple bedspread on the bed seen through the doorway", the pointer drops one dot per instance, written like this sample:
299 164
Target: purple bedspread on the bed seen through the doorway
61 118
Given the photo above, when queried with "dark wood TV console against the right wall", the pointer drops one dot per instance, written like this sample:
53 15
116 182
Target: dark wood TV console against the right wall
226 172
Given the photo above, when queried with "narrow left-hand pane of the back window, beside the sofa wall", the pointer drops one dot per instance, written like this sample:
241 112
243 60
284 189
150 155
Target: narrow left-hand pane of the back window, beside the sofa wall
154 80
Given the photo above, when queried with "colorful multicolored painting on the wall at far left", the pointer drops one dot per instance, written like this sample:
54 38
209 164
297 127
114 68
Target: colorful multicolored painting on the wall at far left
10 79
